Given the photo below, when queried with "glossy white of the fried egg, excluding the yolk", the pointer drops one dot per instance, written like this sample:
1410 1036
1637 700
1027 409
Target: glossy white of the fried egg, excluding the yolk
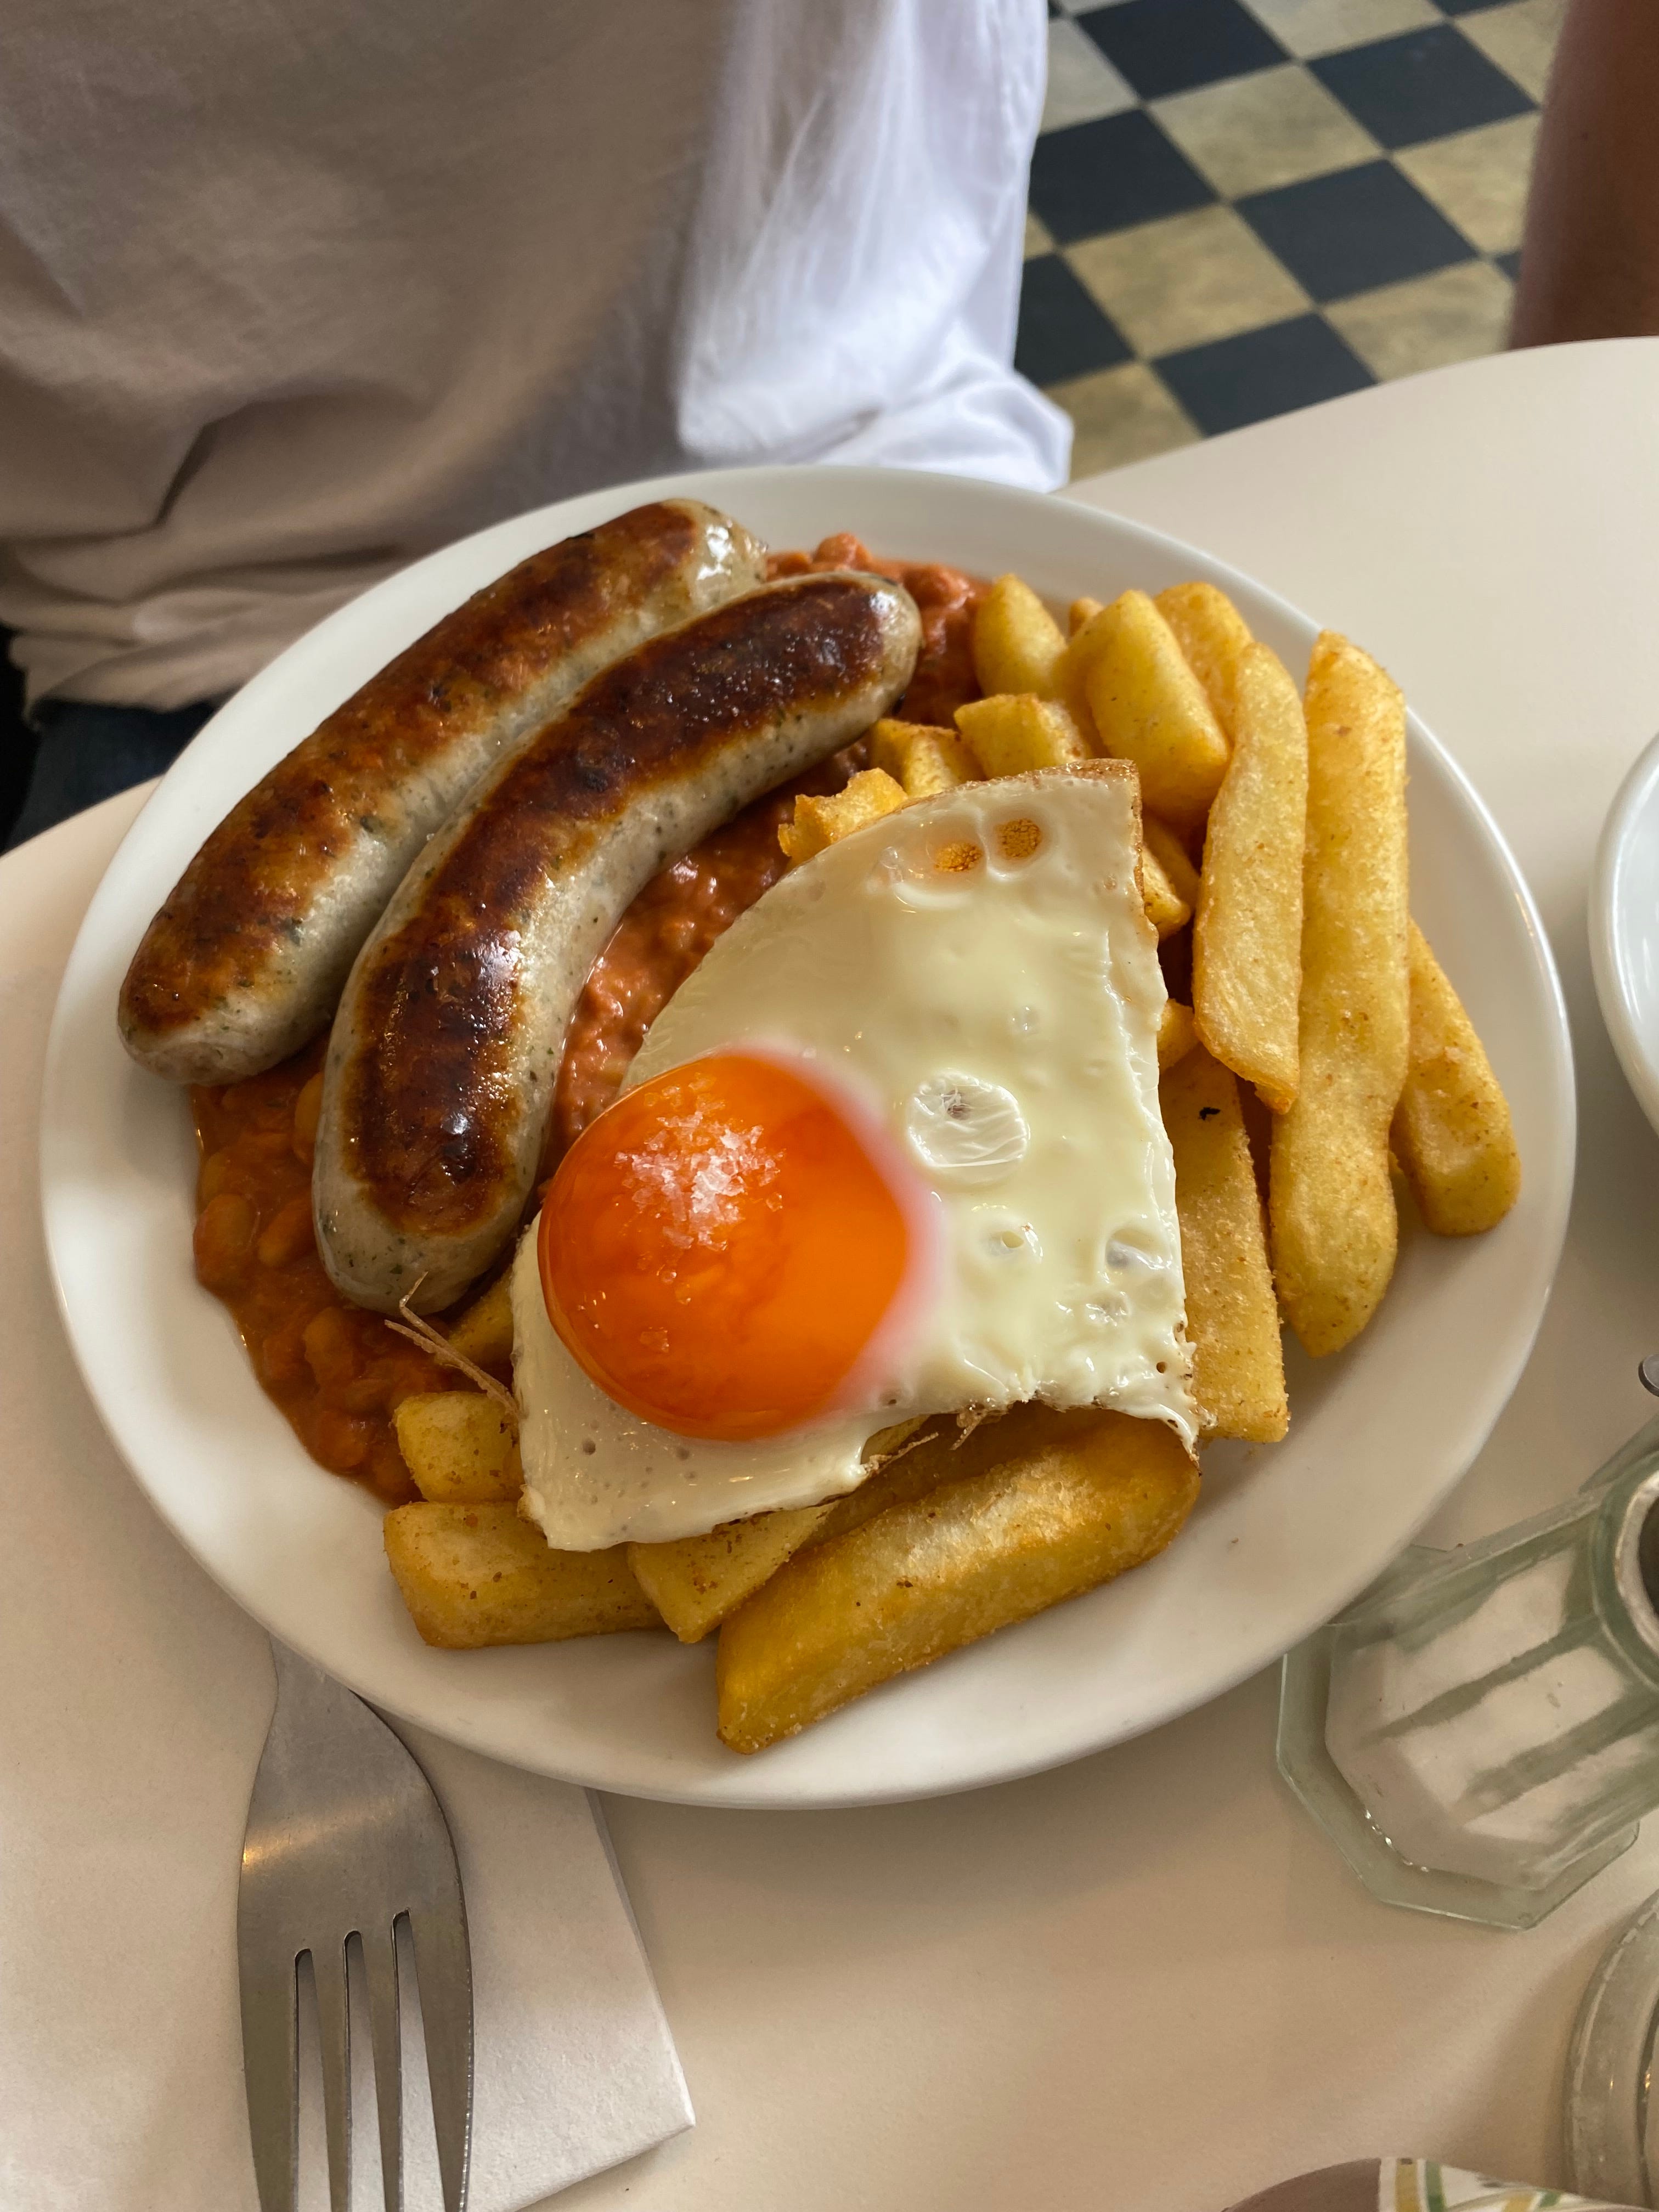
1001 1023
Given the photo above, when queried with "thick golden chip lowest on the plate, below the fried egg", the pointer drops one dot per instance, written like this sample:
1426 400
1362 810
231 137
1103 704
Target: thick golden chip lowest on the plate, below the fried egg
924 1578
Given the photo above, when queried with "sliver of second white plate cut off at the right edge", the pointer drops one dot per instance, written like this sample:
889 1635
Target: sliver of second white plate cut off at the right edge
1625 928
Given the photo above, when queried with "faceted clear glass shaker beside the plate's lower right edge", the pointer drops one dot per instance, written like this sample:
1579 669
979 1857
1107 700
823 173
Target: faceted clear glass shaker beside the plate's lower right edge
1481 1731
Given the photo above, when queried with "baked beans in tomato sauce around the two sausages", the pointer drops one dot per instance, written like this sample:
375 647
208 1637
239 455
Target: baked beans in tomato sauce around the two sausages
340 1373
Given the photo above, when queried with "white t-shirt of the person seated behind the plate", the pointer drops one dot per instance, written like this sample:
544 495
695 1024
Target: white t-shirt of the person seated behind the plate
295 291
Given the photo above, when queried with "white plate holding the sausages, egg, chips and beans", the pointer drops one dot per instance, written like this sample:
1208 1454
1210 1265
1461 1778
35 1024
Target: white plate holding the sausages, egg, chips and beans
1282 1538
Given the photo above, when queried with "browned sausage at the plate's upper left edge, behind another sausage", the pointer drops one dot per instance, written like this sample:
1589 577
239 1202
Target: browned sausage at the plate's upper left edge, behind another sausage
247 959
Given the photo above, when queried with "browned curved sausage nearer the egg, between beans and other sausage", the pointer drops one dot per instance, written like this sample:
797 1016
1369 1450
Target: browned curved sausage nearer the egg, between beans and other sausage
446 1052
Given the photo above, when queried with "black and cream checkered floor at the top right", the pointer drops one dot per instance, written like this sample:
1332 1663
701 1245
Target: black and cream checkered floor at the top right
1244 207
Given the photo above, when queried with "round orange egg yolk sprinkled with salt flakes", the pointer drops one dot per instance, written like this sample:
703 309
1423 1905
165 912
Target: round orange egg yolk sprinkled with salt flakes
720 1249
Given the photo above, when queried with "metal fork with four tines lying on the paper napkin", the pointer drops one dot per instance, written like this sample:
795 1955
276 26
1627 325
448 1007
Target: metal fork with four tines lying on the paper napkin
346 1839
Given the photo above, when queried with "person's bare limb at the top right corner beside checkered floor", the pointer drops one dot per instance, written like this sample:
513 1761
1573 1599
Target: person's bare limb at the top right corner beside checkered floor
1592 253
